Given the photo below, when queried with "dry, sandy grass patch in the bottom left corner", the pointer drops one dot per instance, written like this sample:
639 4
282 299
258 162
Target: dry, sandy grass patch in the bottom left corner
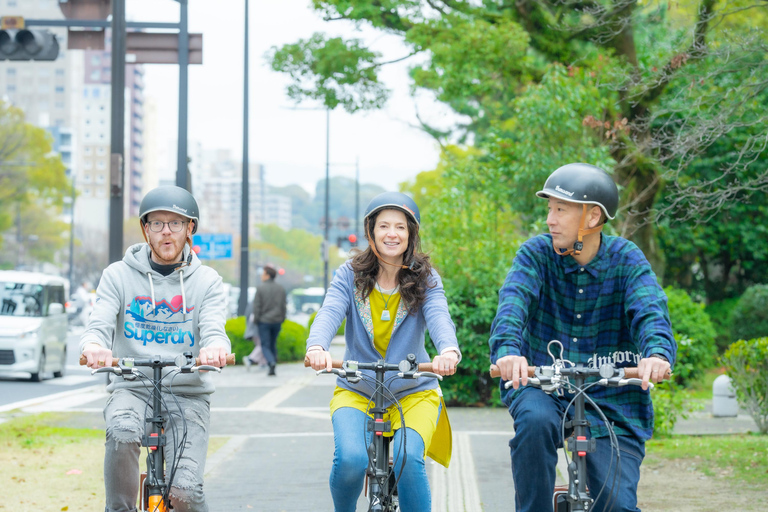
49 467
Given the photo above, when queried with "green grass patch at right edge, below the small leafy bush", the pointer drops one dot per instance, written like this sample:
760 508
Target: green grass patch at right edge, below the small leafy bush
743 456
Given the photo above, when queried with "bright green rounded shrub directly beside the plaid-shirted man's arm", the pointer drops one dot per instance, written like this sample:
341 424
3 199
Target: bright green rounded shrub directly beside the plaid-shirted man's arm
694 333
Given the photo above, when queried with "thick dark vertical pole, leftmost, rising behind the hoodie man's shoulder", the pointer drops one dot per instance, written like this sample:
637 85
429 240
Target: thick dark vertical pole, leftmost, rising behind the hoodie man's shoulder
117 150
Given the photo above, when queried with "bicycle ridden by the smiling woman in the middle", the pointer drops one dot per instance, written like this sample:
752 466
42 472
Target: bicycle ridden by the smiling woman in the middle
381 481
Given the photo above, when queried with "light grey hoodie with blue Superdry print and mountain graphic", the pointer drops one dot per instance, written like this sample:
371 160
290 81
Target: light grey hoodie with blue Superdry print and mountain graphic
141 313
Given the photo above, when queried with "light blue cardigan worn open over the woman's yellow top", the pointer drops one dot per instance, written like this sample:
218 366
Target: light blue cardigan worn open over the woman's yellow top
344 301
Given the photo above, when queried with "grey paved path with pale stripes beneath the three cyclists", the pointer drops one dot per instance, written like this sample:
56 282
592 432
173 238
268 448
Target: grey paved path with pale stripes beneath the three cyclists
278 445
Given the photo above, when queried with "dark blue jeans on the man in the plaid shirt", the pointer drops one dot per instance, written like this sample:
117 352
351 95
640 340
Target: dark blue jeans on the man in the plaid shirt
537 418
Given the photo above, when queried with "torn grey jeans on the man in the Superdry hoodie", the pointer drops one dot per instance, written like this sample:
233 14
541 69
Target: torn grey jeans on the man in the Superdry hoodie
124 414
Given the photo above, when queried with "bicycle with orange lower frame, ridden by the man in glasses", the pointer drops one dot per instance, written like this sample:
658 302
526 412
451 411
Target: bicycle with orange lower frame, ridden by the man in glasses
153 486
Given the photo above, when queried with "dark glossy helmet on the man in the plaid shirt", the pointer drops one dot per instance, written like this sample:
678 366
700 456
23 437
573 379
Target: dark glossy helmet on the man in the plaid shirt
583 184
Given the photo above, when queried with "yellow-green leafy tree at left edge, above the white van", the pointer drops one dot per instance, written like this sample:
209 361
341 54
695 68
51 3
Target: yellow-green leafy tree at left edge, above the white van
33 185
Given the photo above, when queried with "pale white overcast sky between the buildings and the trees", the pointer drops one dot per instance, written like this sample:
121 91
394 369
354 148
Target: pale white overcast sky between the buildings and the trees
289 139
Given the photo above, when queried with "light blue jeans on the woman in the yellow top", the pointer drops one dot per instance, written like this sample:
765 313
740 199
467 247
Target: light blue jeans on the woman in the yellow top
350 459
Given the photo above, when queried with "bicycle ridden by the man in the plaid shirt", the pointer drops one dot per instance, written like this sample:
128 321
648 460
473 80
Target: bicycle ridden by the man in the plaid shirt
575 496
